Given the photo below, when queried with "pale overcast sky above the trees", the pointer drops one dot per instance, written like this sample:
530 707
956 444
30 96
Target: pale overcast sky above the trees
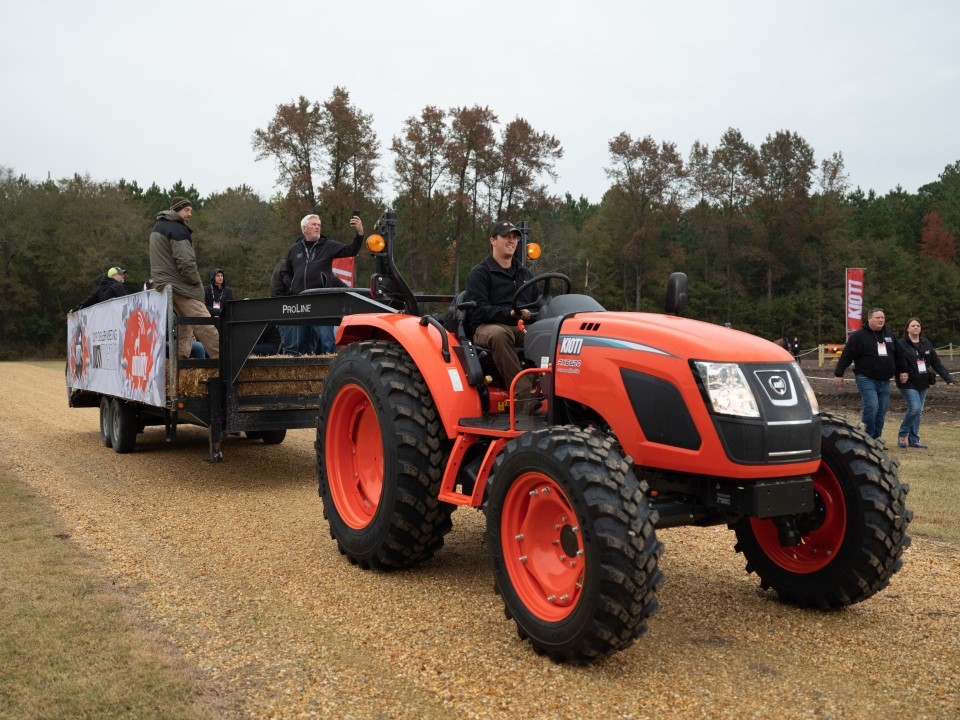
160 92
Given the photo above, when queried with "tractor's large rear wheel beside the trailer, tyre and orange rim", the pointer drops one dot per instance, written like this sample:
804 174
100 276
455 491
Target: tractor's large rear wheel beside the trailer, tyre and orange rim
380 456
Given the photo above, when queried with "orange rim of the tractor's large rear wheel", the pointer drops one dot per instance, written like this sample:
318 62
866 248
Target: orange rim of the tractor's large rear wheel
354 456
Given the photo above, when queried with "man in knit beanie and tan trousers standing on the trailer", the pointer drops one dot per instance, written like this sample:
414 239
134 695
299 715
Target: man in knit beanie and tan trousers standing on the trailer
173 261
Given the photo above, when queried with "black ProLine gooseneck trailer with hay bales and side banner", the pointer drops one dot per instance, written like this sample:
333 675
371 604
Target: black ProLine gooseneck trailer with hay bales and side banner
119 359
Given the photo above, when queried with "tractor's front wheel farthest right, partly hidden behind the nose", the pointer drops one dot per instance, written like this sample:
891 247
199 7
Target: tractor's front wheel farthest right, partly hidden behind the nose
853 541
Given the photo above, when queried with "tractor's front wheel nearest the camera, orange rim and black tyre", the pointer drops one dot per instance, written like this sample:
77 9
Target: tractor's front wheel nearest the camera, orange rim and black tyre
572 542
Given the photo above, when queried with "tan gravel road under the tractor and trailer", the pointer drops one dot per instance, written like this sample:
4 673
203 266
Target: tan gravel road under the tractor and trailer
233 562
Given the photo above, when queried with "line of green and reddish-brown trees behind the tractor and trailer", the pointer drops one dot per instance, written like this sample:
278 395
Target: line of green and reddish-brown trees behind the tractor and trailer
764 232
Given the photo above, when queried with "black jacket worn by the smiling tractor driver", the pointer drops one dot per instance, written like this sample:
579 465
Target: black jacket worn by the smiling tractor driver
492 287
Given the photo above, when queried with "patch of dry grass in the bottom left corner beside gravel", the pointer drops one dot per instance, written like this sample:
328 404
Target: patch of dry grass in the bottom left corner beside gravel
69 645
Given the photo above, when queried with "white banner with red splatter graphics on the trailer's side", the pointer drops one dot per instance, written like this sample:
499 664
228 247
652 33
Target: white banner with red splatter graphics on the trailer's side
118 347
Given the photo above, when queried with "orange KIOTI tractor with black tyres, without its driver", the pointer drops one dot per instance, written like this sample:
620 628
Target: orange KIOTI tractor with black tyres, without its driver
648 421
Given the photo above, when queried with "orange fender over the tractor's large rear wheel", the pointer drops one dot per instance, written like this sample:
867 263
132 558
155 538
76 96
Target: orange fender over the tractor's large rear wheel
452 394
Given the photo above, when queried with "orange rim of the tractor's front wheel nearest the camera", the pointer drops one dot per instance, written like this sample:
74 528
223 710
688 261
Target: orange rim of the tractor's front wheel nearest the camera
542 547
